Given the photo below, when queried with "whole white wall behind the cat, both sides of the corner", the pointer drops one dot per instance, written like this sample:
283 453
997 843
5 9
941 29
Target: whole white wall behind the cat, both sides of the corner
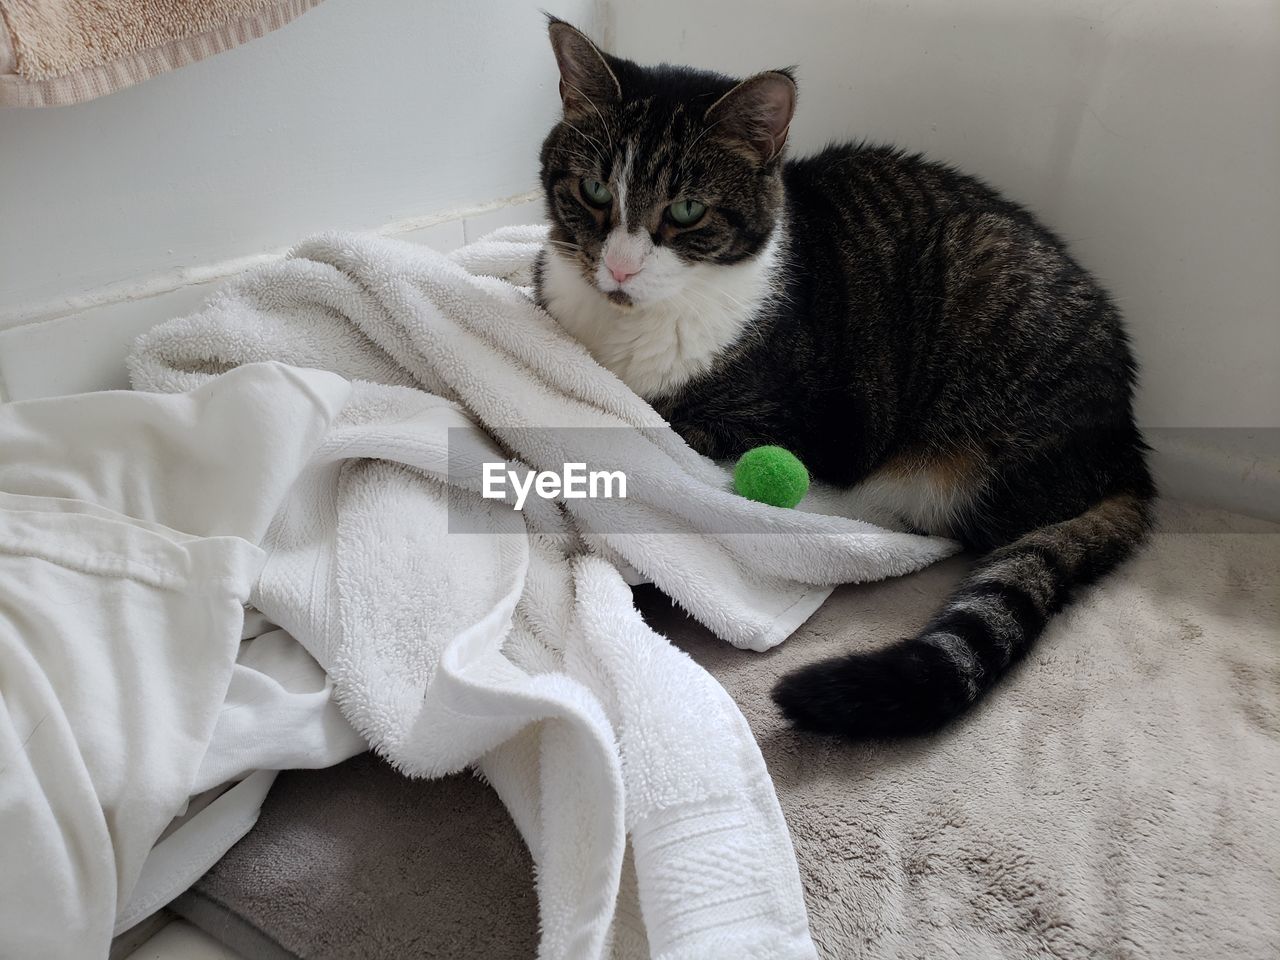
1148 132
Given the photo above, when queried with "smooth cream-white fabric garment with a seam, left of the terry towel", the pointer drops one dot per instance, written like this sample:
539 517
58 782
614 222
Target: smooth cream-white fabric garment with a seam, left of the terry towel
129 531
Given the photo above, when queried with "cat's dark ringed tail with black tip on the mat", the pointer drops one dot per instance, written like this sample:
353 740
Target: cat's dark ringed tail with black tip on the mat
917 685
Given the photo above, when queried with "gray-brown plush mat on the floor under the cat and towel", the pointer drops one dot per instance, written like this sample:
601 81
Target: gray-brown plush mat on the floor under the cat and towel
1118 797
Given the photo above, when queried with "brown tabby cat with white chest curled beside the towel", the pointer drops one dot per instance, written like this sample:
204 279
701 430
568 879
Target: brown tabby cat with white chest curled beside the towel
899 326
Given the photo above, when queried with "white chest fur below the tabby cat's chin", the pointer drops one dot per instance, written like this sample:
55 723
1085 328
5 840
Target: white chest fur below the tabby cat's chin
659 346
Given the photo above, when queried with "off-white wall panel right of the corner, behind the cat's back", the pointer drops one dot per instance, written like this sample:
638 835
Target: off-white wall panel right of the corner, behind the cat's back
1146 132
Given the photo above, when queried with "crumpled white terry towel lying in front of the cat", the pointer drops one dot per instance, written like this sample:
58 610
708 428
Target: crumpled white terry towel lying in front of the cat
518 648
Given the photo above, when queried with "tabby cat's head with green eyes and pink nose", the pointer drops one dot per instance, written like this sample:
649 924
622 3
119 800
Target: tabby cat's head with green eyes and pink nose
656 173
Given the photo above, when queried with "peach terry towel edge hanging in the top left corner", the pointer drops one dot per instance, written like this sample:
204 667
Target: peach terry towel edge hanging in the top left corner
54 53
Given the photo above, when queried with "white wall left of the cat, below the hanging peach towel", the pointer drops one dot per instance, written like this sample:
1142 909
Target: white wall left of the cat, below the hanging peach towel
354 116
